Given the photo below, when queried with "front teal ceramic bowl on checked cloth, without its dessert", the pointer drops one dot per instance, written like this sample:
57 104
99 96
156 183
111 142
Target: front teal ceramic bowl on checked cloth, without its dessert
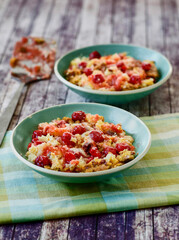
21 136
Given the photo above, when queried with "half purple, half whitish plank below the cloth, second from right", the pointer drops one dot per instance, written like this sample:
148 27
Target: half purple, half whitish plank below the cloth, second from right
139 225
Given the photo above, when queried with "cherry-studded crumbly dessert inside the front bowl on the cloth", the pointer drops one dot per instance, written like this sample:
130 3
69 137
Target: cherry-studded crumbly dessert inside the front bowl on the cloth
80 143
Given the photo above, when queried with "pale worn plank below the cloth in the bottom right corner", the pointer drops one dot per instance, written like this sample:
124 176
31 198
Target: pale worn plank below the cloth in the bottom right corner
166 223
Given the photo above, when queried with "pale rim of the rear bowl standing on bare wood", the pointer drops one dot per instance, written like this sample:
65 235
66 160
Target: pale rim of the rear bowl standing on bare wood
91 91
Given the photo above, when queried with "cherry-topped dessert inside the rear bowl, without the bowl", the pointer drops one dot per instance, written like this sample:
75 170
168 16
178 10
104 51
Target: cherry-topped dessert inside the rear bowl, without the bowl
116 72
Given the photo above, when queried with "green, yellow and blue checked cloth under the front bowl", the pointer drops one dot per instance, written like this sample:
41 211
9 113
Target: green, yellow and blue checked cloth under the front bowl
154 181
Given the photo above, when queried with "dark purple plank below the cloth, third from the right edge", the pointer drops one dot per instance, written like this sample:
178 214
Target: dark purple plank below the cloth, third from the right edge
111 226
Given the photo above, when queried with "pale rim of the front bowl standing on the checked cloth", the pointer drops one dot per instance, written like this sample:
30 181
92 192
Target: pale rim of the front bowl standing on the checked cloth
83 175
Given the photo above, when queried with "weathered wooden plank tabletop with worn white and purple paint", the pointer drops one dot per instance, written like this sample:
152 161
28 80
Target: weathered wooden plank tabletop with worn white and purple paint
77 23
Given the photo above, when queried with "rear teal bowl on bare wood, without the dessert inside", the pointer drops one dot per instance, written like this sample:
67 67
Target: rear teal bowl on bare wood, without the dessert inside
117 97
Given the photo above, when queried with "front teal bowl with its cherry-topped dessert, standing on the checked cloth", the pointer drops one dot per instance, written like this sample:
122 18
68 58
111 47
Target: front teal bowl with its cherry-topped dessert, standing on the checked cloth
117 157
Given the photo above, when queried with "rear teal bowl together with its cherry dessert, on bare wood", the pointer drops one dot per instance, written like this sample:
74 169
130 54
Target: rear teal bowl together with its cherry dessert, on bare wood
149 71
